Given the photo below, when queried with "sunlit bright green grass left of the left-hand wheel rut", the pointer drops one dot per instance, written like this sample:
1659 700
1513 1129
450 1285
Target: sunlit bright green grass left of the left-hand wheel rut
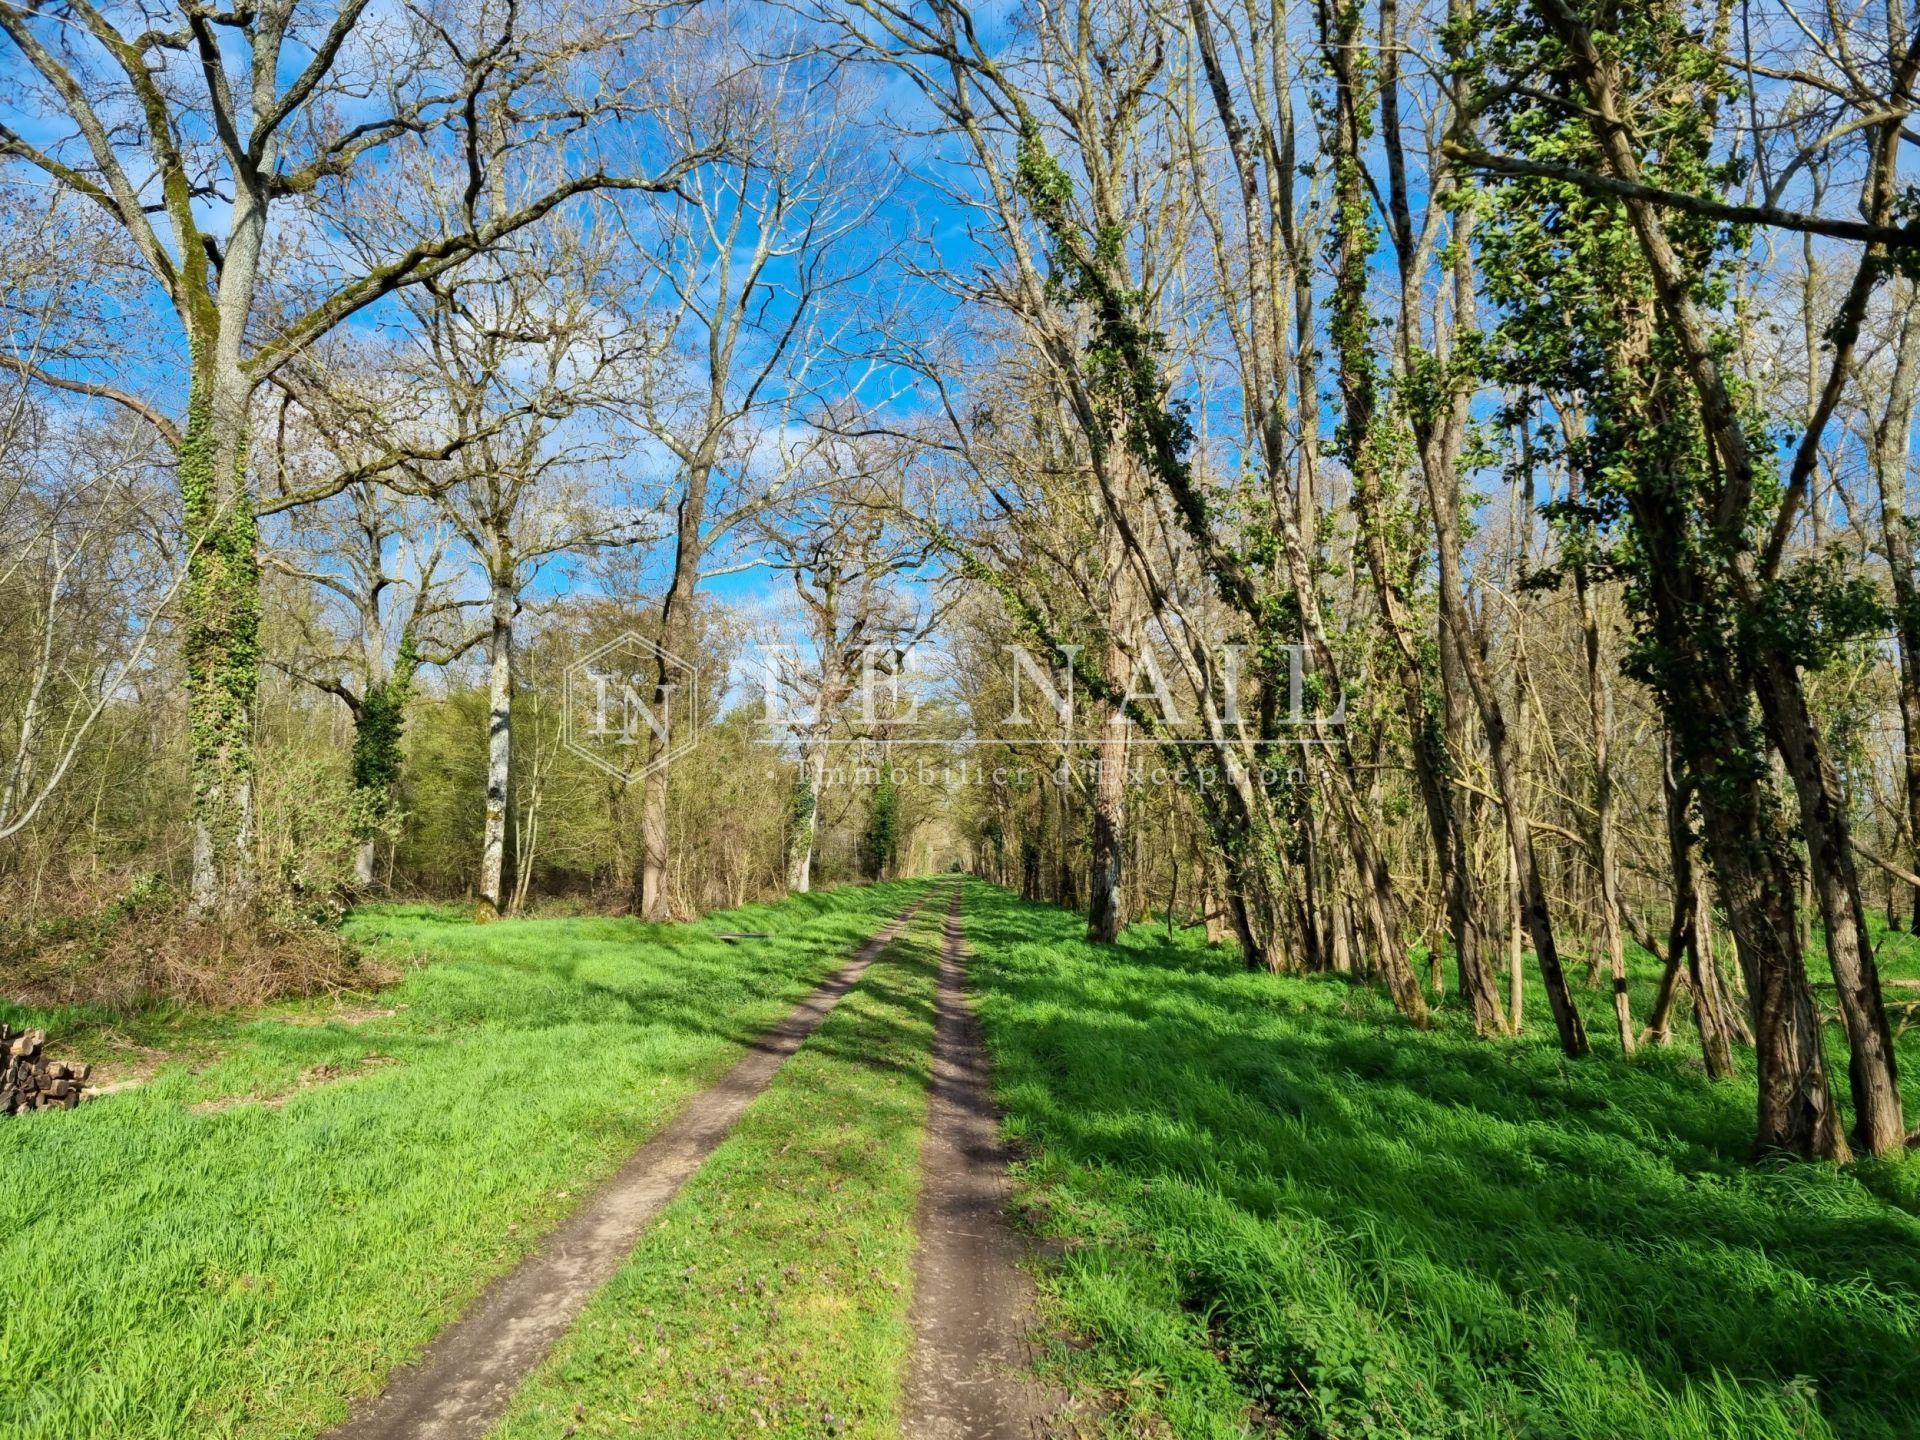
187 1268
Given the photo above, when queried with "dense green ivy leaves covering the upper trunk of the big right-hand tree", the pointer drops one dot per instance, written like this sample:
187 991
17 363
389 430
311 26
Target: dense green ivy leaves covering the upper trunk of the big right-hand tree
1602 385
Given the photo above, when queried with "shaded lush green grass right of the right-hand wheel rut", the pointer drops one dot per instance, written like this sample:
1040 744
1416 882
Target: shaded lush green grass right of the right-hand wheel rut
1284 1209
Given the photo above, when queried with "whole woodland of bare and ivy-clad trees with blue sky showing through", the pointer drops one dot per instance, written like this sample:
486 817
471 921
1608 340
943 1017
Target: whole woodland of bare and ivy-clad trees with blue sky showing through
1441 468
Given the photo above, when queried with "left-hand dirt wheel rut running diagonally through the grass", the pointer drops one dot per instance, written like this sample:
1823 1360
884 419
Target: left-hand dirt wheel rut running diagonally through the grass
469 1374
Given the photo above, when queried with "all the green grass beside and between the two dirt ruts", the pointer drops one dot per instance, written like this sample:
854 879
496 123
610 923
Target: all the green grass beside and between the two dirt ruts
1274 1207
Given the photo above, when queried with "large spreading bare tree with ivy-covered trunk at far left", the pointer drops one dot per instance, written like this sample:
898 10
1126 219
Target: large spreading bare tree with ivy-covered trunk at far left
191 130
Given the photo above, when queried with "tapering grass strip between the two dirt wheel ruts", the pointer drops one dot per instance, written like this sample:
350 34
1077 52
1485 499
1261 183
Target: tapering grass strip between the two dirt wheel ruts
773 1293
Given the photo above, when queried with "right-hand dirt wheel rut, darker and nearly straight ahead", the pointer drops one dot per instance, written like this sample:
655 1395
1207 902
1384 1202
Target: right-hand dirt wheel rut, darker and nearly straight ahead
971 1372
